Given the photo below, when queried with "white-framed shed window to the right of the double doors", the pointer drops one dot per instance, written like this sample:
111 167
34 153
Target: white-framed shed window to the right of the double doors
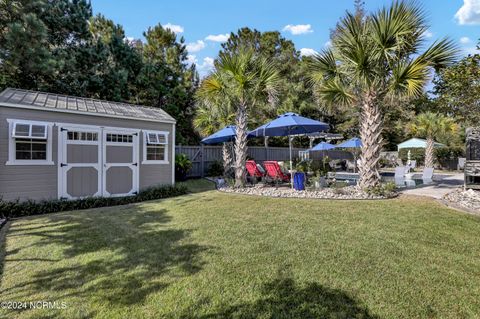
155 147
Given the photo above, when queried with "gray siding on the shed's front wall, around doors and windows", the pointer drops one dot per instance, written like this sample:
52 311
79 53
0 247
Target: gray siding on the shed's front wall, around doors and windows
39 182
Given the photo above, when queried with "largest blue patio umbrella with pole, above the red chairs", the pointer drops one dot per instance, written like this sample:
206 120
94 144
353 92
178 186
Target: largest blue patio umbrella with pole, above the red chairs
289 124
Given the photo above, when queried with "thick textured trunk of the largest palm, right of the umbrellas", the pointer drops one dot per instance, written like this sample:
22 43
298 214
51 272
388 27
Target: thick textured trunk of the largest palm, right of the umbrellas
371 135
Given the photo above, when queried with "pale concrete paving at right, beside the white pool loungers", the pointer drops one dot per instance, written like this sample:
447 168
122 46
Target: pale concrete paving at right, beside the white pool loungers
438 189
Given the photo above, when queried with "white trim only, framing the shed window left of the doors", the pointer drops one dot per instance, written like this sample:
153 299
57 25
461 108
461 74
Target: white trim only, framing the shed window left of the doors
12 148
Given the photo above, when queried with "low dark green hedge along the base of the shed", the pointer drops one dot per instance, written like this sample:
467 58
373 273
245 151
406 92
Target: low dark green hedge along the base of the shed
11 209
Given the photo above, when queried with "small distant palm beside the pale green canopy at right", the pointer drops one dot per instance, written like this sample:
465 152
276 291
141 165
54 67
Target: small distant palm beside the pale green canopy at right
431 125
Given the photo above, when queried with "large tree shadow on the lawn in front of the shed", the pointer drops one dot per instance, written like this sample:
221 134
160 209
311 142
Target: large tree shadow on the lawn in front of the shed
117 255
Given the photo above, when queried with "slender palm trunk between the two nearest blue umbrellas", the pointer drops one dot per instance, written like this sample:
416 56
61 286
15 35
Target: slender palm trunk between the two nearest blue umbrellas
240 145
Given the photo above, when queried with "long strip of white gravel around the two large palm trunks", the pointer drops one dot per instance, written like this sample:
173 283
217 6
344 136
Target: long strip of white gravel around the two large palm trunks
349 192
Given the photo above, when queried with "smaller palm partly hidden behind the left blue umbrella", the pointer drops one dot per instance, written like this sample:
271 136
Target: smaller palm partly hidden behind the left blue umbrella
210 118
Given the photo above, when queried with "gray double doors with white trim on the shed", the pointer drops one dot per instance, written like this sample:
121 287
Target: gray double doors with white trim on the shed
97 161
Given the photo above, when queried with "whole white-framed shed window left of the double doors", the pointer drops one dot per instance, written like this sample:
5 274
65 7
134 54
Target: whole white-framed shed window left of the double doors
30 143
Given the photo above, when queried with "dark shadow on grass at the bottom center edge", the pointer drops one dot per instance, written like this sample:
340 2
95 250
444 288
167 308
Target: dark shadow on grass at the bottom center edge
283 298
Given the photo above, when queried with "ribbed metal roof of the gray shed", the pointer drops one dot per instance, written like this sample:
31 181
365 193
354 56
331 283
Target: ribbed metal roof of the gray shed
71 104
